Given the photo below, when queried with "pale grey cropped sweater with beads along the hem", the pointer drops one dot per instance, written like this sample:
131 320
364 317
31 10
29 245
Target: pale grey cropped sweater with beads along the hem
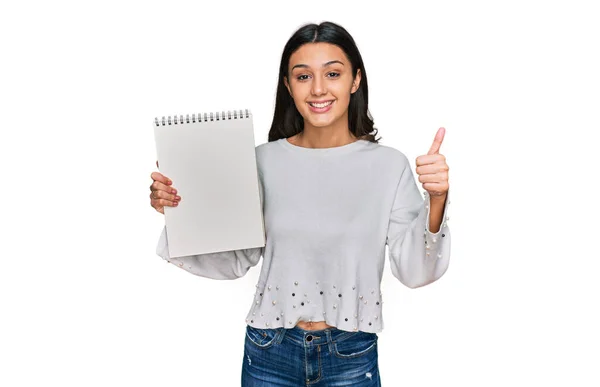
329 214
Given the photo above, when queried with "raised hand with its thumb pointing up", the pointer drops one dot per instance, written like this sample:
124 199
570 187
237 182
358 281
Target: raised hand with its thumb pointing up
433 170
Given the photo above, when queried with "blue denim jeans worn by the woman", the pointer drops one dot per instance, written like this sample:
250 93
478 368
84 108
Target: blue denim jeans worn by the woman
296 357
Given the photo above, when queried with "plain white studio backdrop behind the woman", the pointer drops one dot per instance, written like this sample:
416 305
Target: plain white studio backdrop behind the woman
86 301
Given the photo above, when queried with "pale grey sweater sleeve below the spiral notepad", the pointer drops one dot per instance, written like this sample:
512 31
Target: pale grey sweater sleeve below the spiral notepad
223 265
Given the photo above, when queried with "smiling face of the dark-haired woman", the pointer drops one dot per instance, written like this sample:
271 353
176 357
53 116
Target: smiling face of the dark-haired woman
320 82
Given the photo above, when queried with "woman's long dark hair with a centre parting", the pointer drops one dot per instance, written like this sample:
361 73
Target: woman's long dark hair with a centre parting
287 121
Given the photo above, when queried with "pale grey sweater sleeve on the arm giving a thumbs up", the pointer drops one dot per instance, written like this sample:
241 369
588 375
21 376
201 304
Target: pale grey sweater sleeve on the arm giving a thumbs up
417 256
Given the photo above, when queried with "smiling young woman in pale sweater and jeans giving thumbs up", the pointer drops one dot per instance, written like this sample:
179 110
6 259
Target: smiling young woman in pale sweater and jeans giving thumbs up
332 198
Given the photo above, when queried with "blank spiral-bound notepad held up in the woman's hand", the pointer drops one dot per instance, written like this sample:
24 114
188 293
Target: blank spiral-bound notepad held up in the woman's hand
211 159
